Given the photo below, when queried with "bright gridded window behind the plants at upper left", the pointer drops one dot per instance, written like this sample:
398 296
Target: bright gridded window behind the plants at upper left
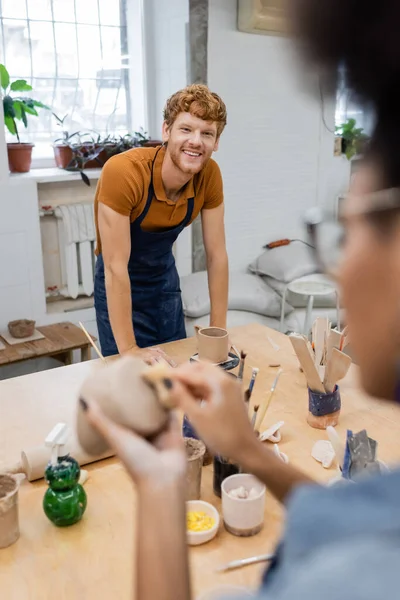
74 54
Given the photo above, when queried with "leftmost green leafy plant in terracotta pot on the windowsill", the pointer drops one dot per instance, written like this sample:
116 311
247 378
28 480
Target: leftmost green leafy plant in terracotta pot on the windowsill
16 108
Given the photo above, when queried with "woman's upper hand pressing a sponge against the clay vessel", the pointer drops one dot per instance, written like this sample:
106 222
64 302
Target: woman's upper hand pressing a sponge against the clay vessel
221 419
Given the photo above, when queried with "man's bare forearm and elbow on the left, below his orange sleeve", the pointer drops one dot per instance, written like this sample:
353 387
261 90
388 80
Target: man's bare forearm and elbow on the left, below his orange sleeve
116 247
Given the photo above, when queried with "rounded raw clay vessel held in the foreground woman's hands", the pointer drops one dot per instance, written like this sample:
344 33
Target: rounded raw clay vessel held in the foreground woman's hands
121 391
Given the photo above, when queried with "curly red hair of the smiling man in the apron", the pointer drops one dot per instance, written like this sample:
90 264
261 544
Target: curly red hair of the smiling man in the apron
200 102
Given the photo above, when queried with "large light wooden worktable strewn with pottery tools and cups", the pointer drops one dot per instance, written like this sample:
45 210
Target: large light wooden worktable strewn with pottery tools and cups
93 559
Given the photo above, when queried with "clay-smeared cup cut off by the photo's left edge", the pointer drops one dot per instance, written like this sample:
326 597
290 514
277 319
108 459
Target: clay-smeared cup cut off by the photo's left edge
9 525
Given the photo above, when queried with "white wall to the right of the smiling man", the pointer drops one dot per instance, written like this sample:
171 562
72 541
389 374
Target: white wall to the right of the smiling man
276 156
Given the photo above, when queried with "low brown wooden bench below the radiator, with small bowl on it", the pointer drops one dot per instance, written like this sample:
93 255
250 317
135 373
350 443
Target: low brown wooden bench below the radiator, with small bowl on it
60 340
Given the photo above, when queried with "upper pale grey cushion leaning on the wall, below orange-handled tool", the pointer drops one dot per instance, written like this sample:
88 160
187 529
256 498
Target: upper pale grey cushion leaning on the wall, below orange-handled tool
285 263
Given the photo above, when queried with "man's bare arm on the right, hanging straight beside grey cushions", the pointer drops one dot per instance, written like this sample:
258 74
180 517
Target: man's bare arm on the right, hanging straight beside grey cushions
217 263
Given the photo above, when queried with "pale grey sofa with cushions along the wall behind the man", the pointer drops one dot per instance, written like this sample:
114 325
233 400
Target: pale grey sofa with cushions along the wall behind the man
256 296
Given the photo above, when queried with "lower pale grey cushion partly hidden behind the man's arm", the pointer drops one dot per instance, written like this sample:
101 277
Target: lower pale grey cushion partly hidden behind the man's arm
247 292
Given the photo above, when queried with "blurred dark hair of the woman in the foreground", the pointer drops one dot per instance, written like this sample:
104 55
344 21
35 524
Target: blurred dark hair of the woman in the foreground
362 38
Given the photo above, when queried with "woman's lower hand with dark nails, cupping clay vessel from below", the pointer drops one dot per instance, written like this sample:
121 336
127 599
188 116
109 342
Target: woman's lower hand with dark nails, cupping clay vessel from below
161 461
